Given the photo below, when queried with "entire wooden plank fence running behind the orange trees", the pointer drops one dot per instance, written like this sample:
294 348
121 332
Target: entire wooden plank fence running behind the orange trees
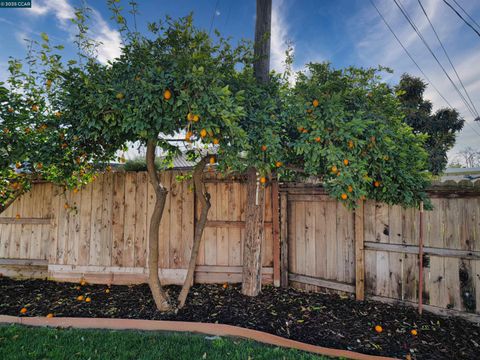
100 234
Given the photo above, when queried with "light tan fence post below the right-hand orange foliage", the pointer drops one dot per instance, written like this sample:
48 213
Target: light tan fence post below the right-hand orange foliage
359 253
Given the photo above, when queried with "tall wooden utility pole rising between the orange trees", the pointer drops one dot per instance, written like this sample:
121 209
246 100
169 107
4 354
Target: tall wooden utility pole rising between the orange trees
254 215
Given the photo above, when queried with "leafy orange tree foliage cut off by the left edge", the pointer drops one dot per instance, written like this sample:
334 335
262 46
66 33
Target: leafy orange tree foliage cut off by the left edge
35 142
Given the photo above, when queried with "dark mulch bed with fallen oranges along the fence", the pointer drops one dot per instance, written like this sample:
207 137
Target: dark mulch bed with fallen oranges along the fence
320 319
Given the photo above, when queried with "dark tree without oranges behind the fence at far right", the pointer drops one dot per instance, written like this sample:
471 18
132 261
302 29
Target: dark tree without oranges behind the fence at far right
441 126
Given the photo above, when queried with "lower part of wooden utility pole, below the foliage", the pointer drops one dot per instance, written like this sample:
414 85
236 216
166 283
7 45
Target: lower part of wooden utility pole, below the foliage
252 247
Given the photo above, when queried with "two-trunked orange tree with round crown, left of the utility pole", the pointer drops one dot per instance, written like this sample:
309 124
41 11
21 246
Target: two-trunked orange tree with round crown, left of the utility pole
170 85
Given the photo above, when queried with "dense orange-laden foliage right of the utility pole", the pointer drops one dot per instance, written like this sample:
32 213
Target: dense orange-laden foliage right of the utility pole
346 128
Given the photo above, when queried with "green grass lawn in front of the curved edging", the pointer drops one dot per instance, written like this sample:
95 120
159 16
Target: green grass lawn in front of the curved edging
20 342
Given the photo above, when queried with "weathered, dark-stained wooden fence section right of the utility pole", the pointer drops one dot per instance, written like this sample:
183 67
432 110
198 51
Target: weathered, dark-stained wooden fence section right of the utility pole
374 250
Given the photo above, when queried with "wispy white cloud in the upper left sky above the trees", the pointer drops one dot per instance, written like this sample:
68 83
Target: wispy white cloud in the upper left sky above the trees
100 31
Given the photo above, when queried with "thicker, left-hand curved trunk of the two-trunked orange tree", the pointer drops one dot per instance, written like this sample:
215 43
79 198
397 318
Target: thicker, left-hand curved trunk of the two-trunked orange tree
159 295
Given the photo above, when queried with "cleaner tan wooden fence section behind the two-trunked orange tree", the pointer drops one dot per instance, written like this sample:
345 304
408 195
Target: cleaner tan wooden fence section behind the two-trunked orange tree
100 232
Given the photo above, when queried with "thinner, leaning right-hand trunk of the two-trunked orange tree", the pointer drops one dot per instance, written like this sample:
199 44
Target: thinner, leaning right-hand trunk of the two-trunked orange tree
204 198
